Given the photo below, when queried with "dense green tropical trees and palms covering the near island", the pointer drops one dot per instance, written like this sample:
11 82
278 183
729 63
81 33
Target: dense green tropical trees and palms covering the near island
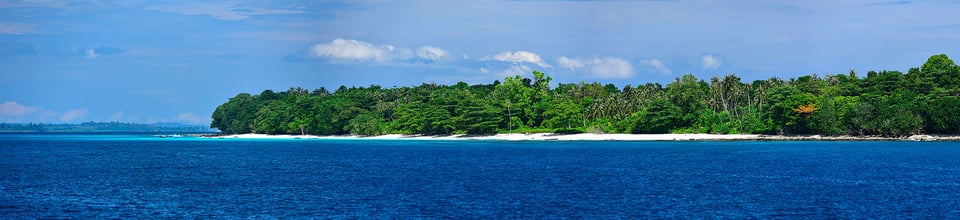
887 103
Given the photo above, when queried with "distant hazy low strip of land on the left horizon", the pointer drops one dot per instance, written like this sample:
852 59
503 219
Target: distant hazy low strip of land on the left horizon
103 127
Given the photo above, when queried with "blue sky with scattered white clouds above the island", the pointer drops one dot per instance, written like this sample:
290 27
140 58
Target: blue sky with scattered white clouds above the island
176 61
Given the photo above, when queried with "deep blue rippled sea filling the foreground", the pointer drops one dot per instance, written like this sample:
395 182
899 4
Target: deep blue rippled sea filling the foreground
137 176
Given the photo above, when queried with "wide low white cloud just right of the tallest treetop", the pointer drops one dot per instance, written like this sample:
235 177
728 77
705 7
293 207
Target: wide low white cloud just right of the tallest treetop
603 67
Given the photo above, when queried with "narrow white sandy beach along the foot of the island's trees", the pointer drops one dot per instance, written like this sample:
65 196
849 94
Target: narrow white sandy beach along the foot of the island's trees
598 137
